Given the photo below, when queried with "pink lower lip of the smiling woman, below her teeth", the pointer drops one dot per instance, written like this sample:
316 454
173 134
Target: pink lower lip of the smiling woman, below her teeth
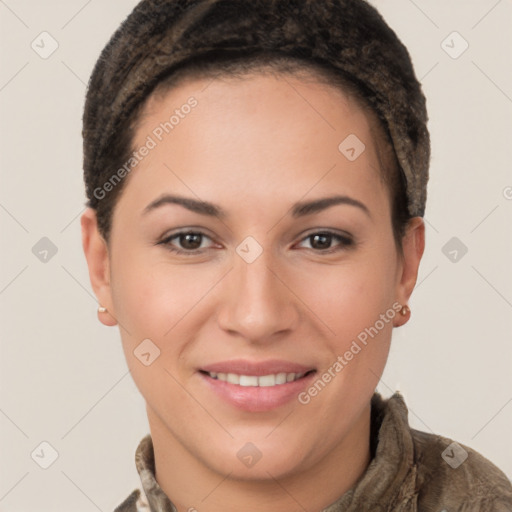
256 398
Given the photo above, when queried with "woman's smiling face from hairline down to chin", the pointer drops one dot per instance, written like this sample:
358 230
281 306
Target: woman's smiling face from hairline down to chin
291 268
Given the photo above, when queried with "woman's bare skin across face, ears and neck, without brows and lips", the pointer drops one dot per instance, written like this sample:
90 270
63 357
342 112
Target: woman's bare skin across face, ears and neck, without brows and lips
254 147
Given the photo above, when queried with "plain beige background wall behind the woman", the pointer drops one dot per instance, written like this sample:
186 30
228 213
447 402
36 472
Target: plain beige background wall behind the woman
63 375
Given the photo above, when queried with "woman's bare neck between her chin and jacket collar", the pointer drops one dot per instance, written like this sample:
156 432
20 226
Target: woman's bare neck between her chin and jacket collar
191 485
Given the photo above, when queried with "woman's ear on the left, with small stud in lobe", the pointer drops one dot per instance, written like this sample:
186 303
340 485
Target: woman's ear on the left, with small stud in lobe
96 253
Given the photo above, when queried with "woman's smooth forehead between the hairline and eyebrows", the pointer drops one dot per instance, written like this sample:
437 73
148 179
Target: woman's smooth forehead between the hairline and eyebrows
265 132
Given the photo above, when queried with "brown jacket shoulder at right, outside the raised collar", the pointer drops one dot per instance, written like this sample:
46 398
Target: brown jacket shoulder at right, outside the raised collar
453 476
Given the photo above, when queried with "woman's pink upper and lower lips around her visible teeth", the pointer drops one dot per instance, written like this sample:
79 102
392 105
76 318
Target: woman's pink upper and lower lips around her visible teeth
256 398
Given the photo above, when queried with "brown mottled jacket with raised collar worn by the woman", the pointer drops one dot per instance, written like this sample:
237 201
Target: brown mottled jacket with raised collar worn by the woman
410 471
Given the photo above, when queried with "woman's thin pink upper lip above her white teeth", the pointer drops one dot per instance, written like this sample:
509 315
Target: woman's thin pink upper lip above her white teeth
256 368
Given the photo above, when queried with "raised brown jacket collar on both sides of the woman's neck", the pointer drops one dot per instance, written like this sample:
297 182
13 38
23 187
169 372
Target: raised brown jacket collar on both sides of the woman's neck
389 478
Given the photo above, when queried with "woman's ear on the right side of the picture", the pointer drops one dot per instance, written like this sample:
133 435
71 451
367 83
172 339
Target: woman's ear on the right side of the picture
413 244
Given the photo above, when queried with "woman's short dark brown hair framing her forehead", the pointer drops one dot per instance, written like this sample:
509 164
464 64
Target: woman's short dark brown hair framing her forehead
346 43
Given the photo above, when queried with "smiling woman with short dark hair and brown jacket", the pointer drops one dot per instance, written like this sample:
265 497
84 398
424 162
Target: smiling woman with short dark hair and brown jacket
256 176
